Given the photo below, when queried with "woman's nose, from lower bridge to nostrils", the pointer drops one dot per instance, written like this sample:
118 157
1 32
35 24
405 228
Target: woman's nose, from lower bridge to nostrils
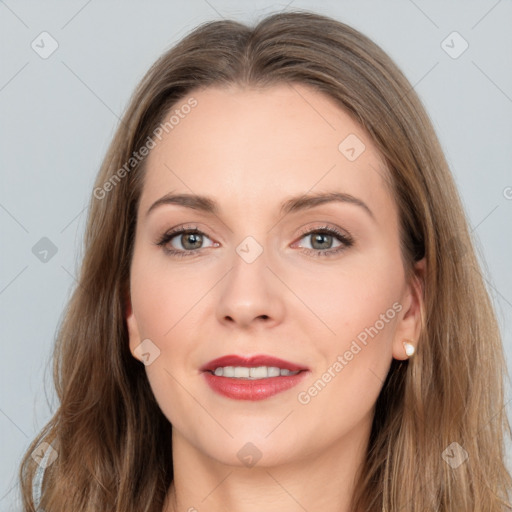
251 294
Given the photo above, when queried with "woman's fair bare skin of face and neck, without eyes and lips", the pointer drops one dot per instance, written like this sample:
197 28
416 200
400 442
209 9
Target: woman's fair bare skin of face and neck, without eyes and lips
250 150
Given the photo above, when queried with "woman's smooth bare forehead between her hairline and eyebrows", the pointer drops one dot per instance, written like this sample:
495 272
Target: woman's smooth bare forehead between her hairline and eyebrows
257 146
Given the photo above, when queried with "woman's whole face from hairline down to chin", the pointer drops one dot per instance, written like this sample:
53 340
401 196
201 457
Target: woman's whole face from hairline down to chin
267 271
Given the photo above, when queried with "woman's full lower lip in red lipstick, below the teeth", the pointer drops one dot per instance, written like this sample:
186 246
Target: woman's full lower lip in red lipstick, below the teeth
248 389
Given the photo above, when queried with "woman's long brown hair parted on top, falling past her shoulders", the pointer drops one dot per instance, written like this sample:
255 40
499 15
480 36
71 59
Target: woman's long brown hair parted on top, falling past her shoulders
112 440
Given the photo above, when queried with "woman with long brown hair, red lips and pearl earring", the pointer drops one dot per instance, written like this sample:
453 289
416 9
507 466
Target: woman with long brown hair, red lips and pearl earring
279 305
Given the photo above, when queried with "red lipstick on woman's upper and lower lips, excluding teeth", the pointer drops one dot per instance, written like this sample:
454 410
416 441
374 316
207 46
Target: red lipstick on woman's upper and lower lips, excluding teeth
252 389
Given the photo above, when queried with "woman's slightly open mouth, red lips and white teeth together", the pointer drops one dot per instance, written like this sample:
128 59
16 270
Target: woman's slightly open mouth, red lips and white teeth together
251 378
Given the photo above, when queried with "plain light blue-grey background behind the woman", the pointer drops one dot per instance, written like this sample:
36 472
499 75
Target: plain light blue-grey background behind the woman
59 114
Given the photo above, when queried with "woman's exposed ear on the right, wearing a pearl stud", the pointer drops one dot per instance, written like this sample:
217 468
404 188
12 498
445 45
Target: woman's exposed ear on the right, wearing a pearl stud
409 325
